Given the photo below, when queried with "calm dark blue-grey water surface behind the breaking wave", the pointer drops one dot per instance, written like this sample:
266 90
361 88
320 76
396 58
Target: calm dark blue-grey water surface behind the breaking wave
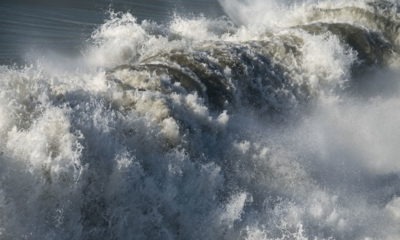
62 26
